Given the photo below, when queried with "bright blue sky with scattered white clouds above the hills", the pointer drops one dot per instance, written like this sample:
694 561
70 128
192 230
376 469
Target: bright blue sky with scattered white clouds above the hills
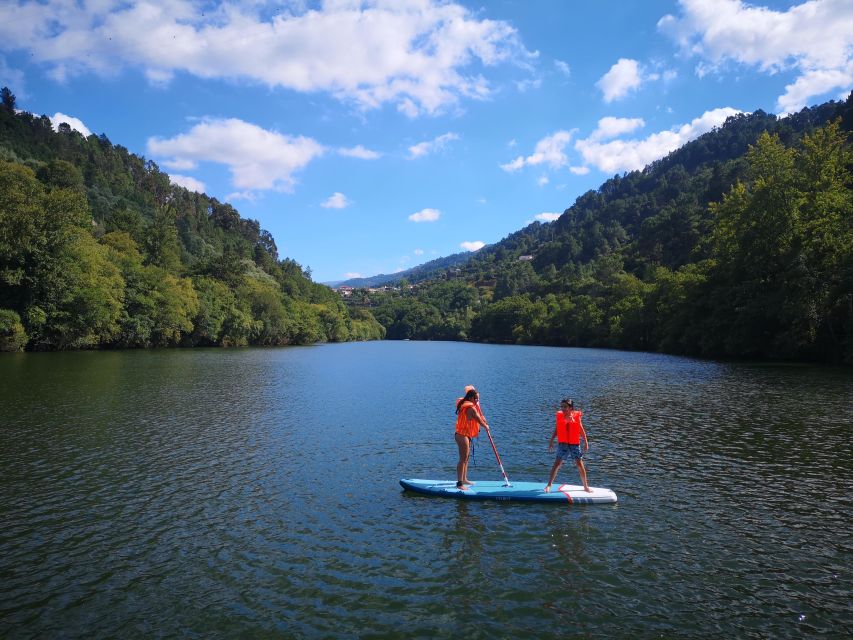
372 136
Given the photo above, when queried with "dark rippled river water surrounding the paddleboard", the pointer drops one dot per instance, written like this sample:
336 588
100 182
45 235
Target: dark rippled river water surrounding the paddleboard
253 493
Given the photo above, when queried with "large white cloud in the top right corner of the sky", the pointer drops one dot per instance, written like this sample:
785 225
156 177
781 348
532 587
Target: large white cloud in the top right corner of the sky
814 39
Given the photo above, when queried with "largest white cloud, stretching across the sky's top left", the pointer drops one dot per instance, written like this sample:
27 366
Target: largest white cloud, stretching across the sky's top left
423 56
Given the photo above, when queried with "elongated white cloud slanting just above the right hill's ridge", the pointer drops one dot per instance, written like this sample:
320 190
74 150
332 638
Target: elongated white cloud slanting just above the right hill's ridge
628 155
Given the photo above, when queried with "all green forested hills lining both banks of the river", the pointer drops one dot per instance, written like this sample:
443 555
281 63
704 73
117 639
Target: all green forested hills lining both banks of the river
739 245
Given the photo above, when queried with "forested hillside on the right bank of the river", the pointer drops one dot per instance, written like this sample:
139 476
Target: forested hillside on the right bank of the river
737 245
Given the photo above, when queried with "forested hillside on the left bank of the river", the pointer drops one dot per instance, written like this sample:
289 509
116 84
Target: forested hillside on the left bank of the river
98 249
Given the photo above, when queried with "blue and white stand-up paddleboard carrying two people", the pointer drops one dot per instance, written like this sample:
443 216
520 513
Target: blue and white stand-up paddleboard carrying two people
517 491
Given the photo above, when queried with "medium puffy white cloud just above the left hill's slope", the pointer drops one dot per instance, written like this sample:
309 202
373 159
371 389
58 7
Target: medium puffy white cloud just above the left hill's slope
258 159
